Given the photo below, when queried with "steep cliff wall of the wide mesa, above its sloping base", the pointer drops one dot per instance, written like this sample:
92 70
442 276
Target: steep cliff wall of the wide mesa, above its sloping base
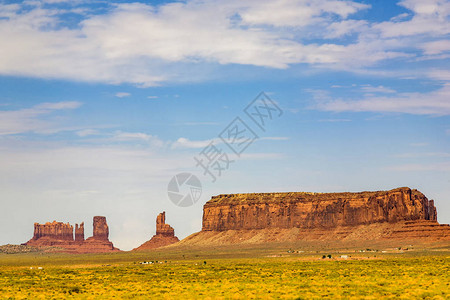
315 210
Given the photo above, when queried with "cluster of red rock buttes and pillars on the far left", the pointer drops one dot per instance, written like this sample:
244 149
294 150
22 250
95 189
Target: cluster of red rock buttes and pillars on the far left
61 235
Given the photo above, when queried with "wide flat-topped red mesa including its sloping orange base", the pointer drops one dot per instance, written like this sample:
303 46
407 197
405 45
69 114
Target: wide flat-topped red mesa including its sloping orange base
400 213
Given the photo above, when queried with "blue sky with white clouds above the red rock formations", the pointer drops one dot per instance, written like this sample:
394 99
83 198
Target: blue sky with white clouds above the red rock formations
102 102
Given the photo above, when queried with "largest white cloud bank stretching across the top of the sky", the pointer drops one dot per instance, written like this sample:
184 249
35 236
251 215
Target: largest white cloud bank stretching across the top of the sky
174 37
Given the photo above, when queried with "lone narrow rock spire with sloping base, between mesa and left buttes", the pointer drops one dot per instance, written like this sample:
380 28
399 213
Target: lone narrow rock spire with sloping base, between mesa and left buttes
165 235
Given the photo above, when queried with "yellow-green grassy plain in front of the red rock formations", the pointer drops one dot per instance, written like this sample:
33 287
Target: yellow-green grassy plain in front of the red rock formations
227 274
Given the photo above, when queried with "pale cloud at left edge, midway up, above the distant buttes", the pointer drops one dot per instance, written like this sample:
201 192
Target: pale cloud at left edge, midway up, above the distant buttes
34 119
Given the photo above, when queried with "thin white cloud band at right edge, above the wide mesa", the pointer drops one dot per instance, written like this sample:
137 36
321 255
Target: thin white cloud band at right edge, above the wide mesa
432 103
